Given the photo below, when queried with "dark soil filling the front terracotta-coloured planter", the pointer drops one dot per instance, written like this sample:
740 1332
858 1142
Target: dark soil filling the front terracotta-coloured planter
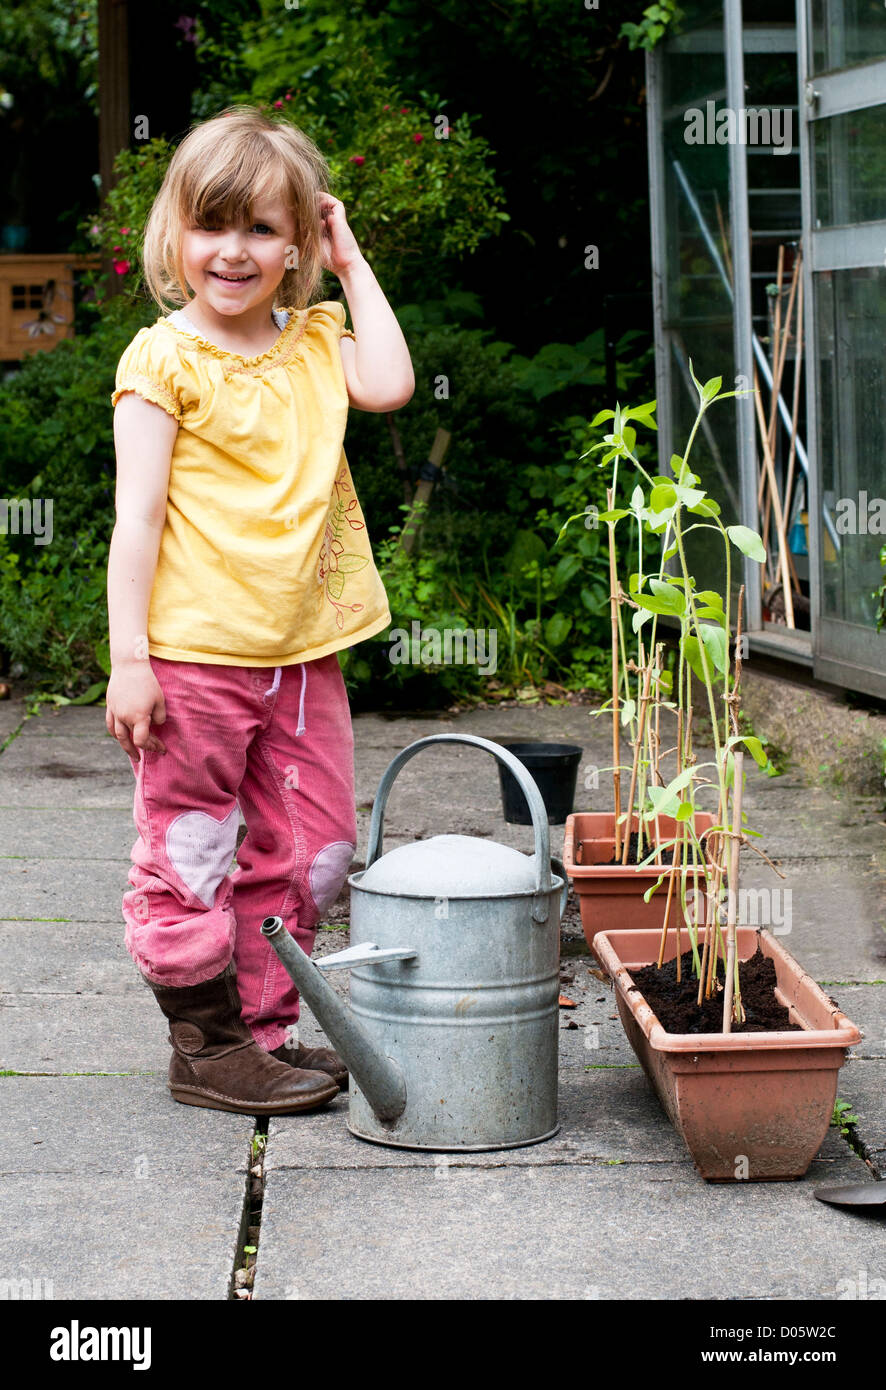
674 1003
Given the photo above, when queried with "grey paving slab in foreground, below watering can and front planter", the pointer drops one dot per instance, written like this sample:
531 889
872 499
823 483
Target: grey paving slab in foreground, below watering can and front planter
533 1232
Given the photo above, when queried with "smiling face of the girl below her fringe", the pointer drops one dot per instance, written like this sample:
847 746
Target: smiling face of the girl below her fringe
237 269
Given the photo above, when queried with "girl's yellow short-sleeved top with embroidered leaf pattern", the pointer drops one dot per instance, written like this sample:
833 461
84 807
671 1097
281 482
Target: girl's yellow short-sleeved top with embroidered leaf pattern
265 558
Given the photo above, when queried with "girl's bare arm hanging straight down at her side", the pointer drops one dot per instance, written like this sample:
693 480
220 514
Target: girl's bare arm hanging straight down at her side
144 439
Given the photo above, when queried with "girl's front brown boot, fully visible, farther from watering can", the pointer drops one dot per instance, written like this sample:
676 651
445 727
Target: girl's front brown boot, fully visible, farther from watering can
216 1061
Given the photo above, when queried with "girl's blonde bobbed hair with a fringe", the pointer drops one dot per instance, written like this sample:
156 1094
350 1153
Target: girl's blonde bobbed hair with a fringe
218 173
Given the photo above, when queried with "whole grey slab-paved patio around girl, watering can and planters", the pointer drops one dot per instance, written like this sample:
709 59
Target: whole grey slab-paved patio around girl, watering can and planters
611 1207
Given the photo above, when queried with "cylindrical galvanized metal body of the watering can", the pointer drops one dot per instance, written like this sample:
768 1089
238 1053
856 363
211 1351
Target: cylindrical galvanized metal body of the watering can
472 1021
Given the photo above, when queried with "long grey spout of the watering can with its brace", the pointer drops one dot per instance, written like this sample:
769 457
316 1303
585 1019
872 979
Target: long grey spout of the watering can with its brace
378 1075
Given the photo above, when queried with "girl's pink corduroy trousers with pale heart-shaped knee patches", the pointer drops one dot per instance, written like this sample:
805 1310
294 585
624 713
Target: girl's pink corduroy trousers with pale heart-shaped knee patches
277 744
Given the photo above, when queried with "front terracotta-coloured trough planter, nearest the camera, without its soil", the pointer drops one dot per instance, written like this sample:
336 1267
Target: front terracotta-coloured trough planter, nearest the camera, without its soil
749 1106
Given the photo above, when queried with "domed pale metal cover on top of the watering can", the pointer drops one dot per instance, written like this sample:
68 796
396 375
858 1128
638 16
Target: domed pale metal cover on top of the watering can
456 867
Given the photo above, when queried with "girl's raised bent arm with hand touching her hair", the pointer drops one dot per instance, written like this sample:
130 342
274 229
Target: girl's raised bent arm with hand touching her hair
378 366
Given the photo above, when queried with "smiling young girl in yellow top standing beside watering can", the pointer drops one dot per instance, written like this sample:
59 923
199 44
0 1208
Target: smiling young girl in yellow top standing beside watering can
239 568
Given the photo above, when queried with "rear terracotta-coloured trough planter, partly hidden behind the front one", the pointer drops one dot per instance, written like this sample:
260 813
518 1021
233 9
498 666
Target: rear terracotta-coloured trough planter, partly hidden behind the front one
610 896
